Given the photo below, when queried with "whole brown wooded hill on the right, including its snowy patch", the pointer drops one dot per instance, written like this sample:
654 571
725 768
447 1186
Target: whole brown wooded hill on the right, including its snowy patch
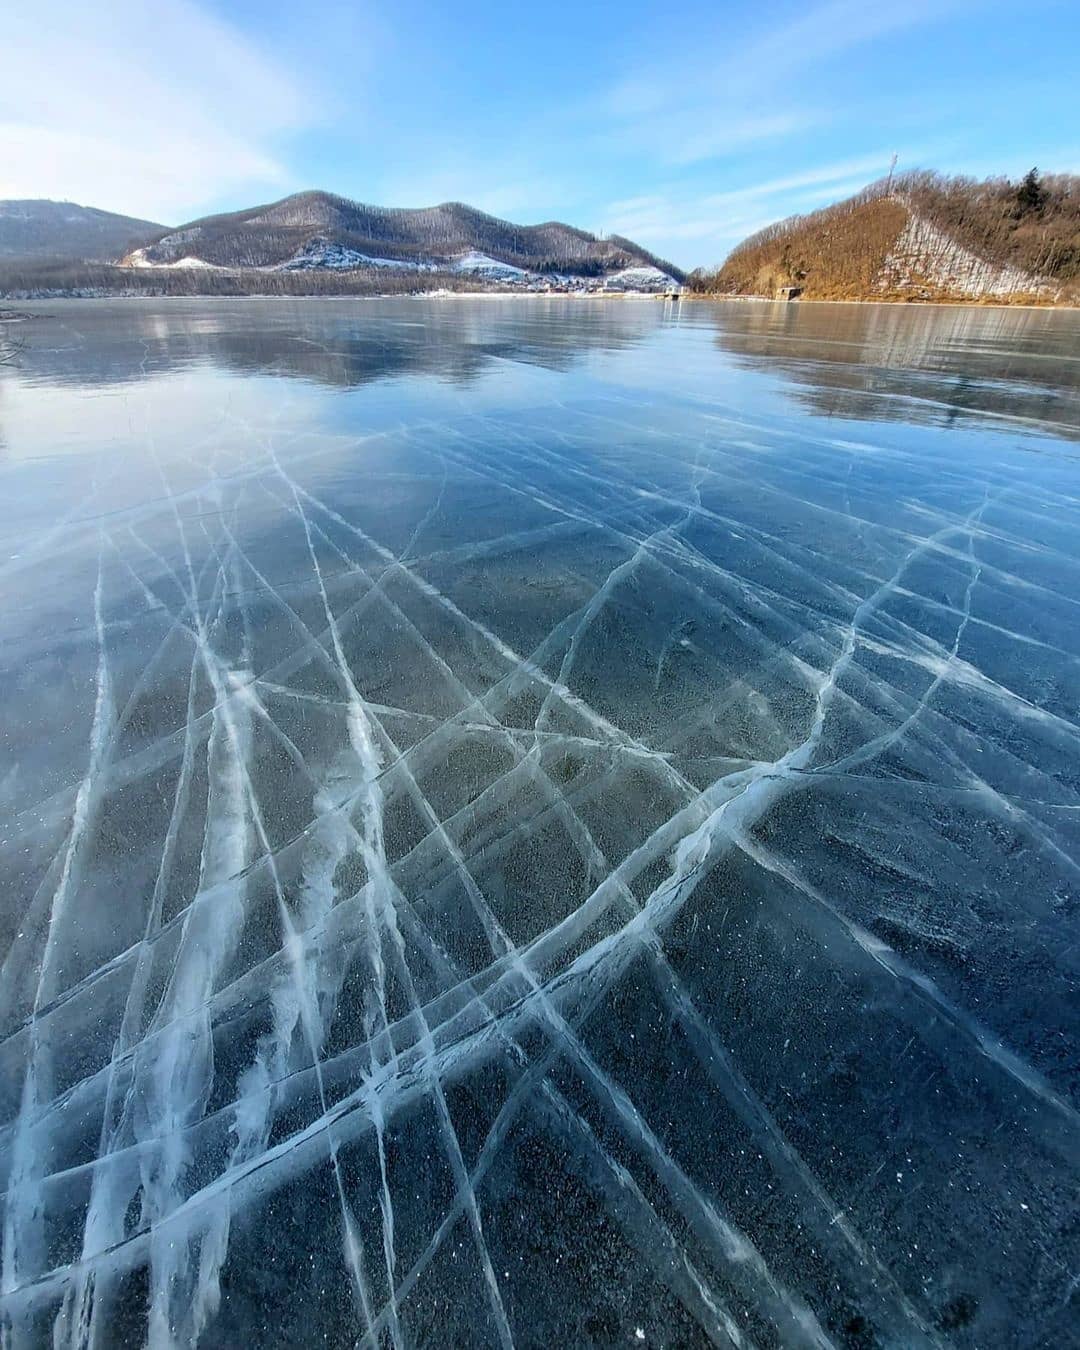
921 237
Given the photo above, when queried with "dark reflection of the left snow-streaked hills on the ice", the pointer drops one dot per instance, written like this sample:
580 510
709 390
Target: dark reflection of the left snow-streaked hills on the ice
80 344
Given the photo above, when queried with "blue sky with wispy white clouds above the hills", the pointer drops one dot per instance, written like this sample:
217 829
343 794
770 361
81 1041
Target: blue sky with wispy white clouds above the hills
685 125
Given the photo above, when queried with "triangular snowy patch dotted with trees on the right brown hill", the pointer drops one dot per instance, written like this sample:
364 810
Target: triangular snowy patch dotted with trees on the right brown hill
925 259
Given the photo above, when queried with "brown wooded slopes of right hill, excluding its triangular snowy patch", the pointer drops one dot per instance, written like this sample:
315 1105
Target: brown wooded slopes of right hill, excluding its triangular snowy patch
844 252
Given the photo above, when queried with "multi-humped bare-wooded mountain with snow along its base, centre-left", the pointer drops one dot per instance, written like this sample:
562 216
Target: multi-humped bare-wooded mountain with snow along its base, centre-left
319 232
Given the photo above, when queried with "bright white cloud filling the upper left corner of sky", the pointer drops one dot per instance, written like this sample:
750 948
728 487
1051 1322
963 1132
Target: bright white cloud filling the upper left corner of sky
152 111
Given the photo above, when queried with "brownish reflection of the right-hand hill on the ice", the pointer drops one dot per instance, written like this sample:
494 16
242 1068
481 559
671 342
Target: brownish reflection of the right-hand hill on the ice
924 364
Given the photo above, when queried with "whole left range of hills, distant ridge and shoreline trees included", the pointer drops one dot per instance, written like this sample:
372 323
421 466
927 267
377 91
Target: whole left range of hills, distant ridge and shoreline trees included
317 244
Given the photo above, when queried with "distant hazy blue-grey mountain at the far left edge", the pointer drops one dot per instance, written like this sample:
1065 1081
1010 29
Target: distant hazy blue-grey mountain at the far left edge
63 230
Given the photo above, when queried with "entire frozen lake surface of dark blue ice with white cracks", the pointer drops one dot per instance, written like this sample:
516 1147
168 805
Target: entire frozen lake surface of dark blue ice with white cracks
539 823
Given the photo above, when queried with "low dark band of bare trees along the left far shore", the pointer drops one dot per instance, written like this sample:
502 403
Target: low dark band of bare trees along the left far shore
41 280
